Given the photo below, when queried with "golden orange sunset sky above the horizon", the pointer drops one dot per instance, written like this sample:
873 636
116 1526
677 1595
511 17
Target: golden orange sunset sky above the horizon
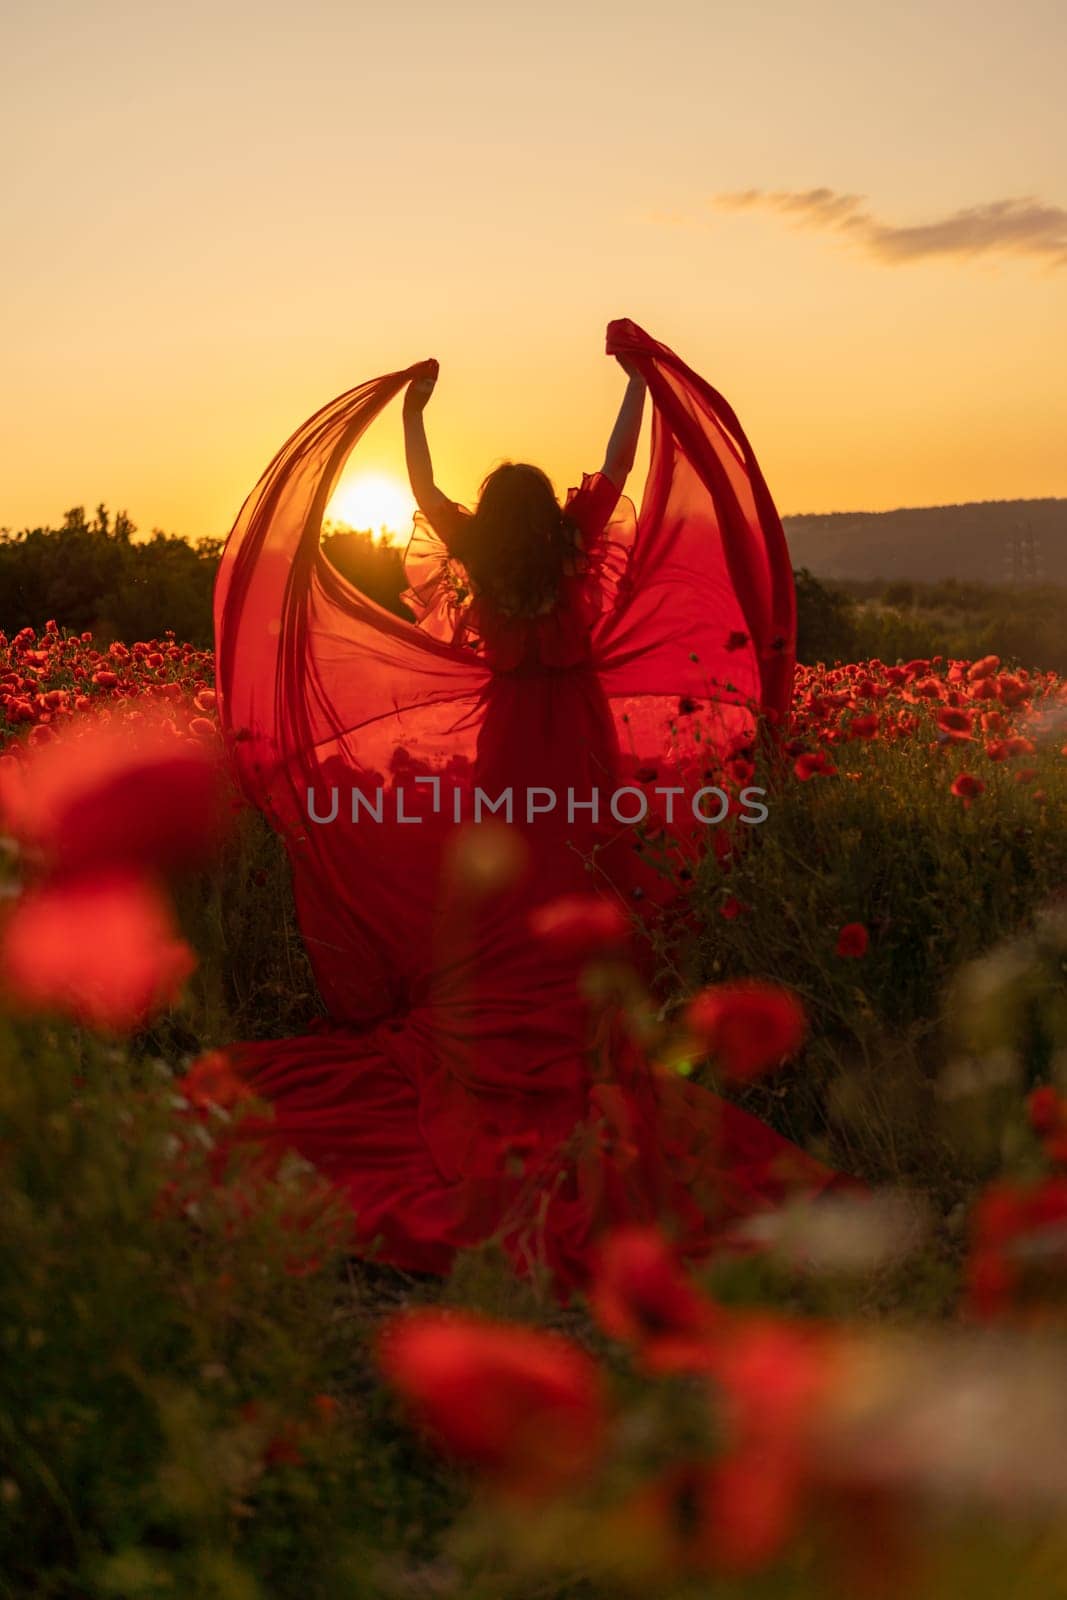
852 218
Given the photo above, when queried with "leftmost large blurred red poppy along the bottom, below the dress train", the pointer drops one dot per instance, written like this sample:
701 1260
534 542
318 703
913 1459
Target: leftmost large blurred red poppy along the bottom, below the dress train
522 1406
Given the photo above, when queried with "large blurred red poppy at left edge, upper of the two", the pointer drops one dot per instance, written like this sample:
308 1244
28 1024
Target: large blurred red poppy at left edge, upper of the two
103 793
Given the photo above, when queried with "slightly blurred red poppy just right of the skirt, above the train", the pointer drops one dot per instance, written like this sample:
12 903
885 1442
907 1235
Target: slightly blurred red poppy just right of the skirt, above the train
748 1026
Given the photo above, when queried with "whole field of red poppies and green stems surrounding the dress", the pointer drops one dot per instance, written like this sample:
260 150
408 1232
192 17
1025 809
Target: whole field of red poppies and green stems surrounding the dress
204 1393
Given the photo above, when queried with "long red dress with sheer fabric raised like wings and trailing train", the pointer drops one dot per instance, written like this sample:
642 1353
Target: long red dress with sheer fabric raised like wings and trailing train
465 1086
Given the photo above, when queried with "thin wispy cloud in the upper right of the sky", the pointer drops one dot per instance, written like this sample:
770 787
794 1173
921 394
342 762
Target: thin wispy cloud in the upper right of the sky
1023 226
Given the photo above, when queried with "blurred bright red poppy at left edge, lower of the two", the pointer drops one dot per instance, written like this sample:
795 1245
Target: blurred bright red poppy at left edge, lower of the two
102 948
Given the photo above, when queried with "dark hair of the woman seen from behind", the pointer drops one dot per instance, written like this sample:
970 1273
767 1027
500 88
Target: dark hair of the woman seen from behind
518 543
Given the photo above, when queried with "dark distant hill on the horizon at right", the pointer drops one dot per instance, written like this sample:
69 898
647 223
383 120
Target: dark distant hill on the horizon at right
986 542
